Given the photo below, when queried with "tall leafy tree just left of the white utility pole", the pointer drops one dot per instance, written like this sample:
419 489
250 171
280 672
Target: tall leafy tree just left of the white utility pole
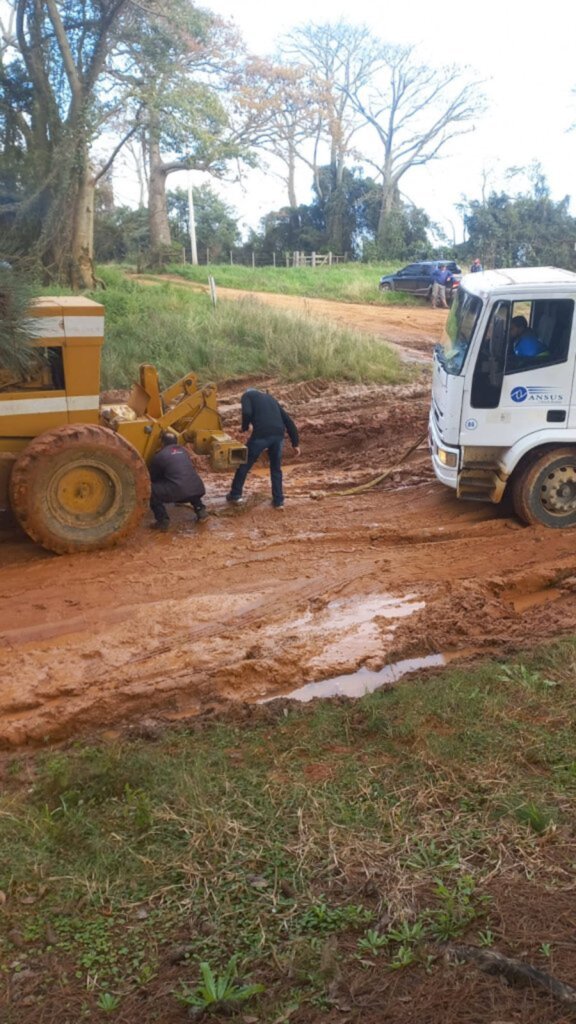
185 69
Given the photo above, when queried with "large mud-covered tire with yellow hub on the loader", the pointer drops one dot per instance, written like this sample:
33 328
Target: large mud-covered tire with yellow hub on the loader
79 488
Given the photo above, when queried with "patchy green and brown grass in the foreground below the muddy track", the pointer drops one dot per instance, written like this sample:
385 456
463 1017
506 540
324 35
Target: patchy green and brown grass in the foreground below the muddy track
324 855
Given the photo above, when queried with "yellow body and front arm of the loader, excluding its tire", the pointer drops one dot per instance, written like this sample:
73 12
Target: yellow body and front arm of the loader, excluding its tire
66 390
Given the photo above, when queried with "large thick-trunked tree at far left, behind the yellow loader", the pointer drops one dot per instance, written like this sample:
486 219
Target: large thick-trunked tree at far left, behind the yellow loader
53 65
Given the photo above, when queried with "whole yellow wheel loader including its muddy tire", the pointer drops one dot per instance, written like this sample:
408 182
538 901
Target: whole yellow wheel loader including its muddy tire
74 473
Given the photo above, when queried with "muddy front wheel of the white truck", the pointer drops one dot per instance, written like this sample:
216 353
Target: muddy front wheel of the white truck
546 492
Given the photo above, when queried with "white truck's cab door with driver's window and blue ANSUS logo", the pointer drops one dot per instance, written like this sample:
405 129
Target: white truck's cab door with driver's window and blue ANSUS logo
509 396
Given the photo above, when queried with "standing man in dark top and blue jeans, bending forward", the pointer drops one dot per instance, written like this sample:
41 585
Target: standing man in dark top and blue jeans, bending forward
270 422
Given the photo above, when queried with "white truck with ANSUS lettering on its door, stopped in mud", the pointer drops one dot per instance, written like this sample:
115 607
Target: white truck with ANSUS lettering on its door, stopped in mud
504 406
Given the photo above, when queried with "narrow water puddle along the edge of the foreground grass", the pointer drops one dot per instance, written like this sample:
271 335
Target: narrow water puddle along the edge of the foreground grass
358 685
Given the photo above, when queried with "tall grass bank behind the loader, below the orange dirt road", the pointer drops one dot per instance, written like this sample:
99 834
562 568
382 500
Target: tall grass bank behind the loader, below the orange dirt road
179 331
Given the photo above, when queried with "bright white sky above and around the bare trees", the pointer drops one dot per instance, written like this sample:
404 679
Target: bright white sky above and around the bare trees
523 51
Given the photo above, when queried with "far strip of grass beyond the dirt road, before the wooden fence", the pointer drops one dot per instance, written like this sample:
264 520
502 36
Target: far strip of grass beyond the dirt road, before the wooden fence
347 283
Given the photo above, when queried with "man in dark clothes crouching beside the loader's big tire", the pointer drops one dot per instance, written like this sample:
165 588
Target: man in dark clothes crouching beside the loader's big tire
175 480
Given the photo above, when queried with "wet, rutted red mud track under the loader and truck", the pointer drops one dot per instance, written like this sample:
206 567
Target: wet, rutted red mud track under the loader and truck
256 604
